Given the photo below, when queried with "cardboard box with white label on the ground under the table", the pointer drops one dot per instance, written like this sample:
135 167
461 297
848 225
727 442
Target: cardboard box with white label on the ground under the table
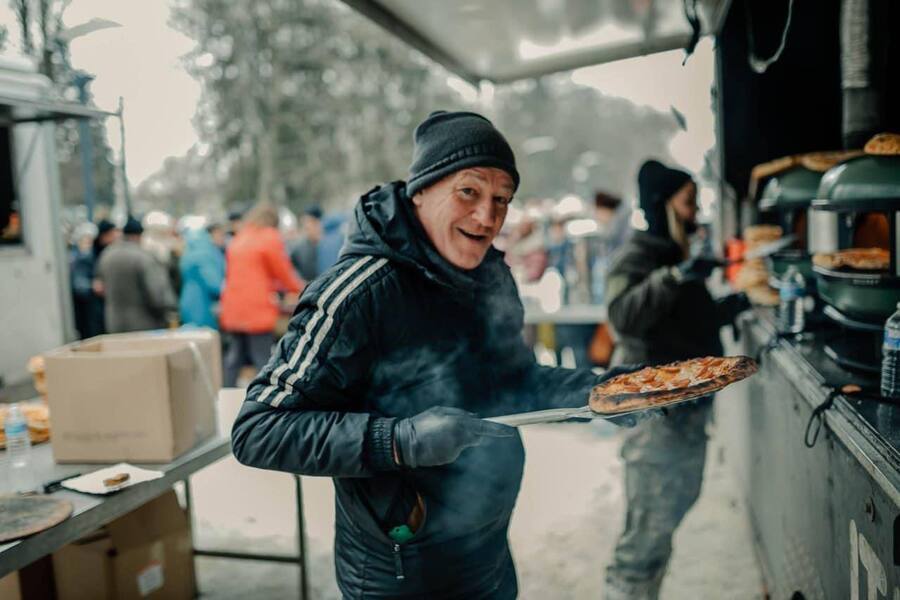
145 554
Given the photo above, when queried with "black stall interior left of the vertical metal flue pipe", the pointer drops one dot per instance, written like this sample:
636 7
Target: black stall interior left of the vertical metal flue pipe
795 106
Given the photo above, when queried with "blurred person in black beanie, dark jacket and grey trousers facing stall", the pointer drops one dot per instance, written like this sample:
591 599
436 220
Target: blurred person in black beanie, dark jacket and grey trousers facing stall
661 312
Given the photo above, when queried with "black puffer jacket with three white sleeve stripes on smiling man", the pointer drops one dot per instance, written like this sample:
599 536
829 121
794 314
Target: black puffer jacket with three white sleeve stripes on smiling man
388 332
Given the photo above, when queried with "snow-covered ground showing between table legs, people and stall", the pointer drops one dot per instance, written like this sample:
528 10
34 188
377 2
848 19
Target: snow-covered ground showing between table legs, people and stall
566 522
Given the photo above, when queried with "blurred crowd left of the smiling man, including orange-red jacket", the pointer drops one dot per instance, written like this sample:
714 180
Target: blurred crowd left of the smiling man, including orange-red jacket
238 276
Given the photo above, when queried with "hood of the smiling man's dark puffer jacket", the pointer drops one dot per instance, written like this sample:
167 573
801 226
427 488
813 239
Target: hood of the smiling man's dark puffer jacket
384 224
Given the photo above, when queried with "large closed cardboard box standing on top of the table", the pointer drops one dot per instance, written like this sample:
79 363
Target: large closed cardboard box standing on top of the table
137 397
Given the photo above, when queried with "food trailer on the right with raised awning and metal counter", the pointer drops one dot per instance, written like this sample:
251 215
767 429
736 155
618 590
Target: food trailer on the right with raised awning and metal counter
815 448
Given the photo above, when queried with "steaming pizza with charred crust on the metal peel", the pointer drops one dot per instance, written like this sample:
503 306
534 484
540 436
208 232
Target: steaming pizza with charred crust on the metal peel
653 387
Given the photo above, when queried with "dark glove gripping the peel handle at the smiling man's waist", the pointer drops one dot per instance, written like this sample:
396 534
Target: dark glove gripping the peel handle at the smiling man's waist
438 435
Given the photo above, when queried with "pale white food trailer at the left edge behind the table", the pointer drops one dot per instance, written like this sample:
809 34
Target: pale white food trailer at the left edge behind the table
35 301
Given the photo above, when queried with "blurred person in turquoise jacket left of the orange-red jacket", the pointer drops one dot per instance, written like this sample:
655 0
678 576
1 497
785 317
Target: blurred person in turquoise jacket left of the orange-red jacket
202 275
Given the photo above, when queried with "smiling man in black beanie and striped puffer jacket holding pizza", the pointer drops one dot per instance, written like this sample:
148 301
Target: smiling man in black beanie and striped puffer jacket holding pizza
391 358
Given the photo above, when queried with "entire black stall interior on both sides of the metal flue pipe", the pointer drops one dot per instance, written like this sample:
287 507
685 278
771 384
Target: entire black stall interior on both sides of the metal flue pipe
799 103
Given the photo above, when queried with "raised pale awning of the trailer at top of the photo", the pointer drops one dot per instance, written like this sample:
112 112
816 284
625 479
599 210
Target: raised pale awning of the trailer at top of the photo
506 40
